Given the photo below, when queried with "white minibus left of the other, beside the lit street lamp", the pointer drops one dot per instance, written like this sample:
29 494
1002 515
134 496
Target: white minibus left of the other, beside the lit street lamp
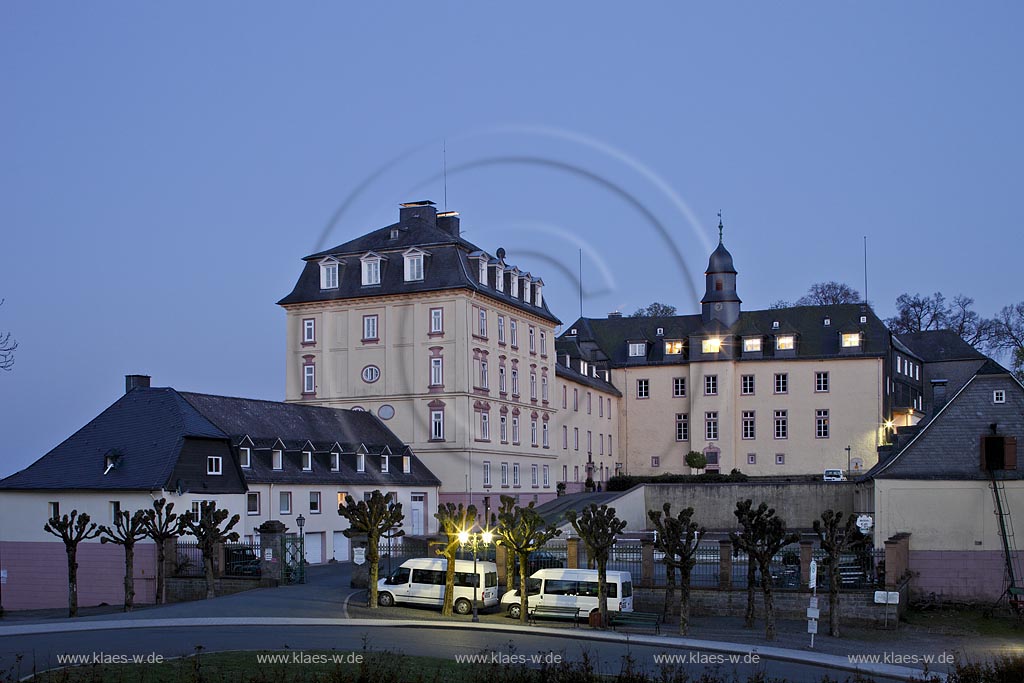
421 582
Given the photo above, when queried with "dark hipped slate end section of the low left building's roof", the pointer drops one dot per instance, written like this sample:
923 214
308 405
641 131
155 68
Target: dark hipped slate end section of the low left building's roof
147 428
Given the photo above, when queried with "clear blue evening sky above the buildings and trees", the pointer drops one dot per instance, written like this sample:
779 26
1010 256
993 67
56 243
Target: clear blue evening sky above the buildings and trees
165 166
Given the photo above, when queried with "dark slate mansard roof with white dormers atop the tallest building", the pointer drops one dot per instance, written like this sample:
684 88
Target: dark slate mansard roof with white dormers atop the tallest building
447 268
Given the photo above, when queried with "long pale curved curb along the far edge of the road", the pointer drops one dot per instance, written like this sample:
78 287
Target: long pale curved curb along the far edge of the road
830 662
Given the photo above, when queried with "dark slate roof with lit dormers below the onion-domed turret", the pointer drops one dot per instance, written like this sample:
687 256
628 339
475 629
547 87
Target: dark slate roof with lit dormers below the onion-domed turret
816 340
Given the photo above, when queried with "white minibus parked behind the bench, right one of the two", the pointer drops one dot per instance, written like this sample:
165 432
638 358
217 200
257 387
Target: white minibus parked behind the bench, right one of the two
572 588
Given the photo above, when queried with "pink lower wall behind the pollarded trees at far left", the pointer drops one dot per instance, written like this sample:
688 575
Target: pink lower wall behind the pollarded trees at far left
37 575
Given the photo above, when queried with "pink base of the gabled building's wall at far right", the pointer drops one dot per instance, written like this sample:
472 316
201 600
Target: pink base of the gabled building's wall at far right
966 576
